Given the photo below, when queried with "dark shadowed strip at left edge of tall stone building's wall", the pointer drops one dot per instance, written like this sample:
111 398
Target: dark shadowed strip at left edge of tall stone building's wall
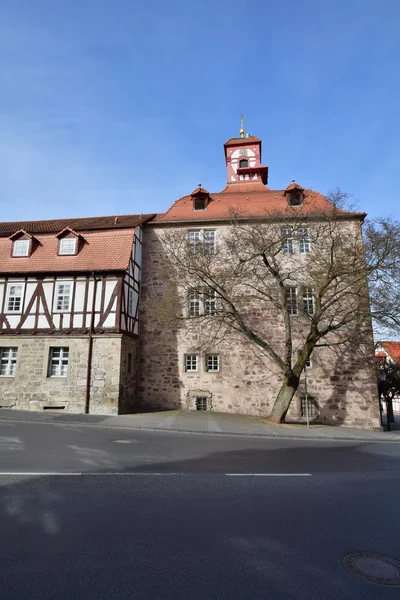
159 381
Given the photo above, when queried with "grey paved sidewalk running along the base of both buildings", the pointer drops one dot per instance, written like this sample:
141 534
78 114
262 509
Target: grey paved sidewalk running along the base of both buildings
206 423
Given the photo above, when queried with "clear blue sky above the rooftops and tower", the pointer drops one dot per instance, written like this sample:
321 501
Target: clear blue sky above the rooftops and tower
124 106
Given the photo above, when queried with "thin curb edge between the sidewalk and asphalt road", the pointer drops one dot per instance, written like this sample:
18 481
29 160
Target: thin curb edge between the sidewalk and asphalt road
205 432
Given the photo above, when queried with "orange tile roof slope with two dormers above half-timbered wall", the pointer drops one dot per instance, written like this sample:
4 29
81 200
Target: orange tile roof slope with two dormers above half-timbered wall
100 251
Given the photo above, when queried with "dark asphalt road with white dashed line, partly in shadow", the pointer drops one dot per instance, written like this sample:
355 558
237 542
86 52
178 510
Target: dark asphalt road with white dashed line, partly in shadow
94 513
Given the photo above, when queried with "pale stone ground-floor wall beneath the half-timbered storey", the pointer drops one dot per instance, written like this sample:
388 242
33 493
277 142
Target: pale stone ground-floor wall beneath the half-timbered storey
113 382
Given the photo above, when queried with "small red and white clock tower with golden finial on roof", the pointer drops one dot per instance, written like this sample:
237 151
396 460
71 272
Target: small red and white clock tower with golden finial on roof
243 160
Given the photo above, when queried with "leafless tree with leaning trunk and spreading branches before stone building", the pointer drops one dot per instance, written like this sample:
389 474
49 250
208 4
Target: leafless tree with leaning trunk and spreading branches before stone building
308 273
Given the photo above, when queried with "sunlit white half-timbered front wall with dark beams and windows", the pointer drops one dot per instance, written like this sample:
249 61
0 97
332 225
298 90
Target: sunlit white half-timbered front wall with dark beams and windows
37 308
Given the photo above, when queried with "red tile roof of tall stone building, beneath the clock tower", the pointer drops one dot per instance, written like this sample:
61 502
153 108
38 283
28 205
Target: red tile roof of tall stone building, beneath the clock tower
249 200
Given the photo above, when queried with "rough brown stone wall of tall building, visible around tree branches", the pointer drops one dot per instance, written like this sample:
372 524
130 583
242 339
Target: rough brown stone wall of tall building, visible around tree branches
342 389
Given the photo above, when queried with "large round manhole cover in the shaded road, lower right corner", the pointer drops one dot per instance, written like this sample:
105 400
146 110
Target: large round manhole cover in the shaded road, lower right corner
375 568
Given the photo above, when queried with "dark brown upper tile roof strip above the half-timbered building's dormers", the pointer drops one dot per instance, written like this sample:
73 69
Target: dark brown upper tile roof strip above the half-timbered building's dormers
77 224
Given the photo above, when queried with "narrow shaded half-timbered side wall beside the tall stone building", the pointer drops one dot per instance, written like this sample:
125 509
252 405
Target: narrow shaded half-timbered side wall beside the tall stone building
131 287
